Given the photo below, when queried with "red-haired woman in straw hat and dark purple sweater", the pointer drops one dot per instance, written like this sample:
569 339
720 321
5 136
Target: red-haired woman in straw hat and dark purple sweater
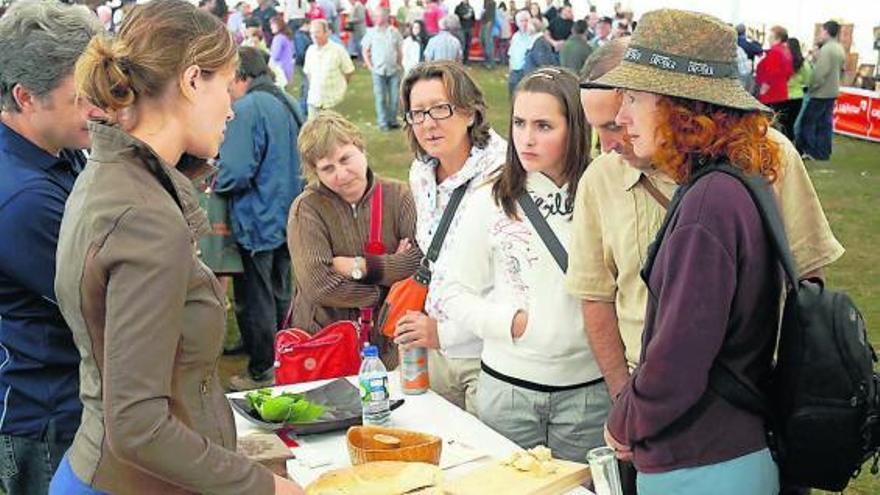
714 281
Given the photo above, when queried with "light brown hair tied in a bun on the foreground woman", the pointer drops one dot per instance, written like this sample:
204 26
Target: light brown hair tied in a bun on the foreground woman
156 43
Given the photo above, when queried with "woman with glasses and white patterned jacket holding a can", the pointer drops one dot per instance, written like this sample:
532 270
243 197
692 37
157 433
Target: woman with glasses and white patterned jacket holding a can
448 130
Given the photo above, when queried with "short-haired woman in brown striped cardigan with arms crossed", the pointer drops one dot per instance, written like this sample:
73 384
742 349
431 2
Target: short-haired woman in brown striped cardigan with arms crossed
329 227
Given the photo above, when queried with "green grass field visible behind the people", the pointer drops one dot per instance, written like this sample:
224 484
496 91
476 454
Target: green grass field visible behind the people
848 186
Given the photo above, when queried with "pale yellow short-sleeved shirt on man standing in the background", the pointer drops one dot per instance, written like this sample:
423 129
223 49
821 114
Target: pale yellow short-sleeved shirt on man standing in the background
327 67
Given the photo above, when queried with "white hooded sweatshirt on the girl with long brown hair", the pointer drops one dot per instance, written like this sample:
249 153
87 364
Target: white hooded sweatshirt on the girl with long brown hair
501 266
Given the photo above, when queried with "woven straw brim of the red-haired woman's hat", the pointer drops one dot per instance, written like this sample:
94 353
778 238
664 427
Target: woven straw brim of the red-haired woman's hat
726 92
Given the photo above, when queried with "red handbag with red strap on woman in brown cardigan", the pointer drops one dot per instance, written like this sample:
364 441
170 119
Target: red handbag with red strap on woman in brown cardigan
334 351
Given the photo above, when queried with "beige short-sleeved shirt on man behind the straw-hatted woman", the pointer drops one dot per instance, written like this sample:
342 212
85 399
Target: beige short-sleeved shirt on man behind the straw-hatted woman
615 219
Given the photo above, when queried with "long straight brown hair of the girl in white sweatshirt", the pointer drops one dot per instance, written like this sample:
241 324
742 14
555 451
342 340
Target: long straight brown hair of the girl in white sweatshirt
562 84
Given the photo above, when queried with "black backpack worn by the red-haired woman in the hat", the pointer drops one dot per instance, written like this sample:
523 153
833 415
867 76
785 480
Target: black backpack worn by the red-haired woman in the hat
822 400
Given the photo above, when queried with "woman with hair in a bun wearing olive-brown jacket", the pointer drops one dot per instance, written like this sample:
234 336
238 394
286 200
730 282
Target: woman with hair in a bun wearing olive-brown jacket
147 316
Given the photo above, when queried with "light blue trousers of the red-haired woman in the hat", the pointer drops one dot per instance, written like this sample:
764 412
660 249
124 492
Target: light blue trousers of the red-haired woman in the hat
755 474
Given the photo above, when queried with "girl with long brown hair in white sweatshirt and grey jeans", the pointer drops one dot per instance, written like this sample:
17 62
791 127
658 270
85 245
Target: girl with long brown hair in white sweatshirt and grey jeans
540 384
